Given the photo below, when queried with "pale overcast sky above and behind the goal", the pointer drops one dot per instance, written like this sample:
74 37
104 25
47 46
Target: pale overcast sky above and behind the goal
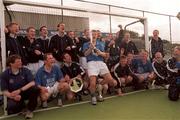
171 7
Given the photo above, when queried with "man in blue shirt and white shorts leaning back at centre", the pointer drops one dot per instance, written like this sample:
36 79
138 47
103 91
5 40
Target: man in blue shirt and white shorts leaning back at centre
94 52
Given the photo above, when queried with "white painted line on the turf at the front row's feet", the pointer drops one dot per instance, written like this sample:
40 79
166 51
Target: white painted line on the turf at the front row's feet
69 105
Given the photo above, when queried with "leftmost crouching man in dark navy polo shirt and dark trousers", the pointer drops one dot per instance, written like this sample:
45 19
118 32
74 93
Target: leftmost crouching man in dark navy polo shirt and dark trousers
18 85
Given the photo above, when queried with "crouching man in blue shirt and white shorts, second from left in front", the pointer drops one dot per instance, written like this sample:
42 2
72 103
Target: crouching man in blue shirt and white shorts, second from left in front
49 79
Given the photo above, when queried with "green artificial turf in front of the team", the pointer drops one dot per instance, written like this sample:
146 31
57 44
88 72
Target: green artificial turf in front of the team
147 105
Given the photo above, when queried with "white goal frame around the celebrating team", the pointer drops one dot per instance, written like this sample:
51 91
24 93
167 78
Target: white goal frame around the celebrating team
44 5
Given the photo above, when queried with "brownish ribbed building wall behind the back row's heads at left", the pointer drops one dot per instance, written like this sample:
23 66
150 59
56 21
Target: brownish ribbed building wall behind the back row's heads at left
35 19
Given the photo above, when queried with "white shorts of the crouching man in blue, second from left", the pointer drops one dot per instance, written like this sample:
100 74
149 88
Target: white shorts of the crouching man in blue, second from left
53 91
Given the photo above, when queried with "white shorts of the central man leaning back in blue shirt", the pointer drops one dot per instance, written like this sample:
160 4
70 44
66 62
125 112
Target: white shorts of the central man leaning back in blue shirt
96 68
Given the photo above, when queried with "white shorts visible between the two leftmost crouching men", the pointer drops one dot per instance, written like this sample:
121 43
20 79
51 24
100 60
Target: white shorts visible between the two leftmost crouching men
33 67
